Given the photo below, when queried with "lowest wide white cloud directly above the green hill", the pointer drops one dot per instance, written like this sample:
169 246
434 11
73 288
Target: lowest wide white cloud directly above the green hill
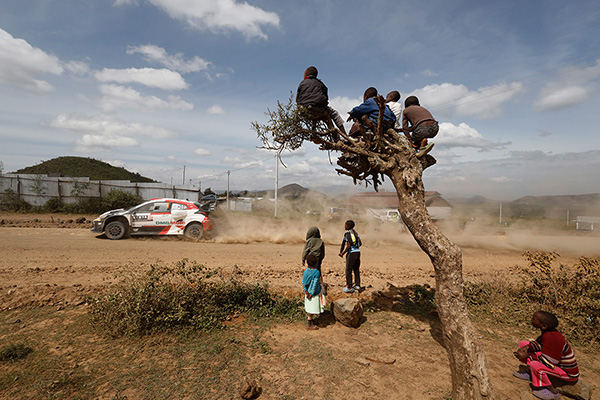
102 132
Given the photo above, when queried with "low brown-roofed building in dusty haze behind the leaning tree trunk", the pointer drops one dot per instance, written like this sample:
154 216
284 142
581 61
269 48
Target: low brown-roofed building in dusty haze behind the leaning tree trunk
436 205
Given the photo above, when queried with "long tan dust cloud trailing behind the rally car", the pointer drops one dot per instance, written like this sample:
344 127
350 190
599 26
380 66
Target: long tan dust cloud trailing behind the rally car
291 228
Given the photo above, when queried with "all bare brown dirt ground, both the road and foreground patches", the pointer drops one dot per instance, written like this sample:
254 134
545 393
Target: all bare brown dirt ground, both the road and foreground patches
53 260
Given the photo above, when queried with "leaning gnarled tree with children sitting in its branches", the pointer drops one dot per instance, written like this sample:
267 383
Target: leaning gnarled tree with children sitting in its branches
374 155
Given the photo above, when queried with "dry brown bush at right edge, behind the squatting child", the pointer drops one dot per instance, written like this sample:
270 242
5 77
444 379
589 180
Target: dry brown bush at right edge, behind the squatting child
572 293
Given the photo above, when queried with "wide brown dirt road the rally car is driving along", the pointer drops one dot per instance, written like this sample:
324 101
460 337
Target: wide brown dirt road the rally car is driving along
54 262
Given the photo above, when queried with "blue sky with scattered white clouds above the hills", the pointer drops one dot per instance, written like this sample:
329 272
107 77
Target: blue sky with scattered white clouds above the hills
156 85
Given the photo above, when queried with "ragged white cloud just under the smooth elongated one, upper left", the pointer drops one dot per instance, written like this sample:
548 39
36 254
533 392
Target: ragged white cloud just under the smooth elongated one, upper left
117 97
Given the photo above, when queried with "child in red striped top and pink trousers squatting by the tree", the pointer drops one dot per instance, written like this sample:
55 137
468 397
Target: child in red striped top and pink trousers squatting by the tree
550 355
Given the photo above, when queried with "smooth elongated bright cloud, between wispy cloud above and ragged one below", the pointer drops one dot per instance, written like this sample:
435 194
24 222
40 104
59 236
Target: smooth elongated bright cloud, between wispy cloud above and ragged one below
159 78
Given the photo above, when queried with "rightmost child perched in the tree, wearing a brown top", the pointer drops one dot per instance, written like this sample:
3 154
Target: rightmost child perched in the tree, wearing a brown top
420 122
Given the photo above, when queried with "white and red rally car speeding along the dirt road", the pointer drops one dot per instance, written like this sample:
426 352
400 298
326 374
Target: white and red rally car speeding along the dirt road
156 217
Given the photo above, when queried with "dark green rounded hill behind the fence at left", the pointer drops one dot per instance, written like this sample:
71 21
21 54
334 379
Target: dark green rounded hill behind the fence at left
83 167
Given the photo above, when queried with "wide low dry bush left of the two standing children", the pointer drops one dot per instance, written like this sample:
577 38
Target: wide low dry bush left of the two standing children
164 298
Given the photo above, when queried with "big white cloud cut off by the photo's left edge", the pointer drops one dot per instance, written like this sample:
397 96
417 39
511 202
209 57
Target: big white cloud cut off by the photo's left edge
20 64
